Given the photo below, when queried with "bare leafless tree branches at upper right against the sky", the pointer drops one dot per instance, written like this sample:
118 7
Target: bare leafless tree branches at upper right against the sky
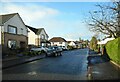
106 19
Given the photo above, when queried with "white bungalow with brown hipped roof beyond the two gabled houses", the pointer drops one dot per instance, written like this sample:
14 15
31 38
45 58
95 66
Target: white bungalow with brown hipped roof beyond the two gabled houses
58 41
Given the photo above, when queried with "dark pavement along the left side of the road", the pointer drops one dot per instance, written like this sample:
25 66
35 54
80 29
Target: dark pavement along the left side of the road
15 60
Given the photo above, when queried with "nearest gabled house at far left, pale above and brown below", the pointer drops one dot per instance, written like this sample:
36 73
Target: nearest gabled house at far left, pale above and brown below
14 33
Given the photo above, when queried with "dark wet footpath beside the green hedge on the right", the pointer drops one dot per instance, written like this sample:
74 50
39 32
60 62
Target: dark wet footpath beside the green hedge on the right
100 67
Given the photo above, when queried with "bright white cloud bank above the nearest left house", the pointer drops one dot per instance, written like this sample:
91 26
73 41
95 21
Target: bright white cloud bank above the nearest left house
29 12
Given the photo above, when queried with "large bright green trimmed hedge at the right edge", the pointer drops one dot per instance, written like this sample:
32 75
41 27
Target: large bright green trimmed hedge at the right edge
113 50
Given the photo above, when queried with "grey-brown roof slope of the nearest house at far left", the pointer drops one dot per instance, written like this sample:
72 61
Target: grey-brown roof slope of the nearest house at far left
6 17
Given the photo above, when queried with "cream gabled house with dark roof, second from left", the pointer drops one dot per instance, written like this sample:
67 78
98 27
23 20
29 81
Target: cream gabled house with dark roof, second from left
37 36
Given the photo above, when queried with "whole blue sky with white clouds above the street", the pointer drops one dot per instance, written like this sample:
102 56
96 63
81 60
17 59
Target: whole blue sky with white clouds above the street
59 19
